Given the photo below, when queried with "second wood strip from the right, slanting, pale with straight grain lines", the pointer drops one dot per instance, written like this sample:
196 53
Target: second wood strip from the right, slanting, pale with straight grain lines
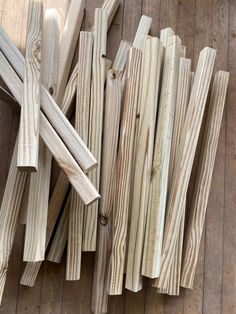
185 157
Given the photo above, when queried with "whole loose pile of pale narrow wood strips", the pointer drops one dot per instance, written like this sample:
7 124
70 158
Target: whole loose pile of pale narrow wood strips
126 160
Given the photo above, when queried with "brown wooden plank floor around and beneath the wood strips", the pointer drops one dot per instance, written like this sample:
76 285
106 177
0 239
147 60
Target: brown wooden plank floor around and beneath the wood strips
199 23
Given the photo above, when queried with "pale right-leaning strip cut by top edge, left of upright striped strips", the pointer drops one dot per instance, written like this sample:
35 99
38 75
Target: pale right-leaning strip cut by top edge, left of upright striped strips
68 43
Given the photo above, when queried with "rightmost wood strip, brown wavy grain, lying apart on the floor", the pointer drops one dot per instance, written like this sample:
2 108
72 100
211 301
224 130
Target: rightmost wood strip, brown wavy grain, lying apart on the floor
203 181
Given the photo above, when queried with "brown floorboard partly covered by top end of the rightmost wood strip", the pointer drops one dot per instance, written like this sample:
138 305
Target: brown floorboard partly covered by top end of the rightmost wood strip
215 208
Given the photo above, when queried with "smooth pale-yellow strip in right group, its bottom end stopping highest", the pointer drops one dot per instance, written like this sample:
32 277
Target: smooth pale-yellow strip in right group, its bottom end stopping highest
160 166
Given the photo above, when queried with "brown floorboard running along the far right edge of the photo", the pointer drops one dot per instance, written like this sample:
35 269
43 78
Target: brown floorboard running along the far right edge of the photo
229 263
